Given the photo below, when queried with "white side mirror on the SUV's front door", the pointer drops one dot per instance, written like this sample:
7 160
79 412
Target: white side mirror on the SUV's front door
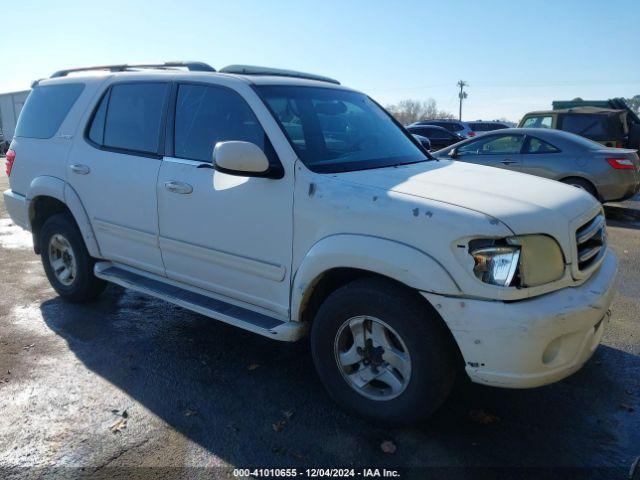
244 159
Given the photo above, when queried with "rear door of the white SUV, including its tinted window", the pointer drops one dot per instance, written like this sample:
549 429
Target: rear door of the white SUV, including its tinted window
114 171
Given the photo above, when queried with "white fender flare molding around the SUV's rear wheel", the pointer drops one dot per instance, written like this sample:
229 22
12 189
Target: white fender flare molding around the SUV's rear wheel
60 190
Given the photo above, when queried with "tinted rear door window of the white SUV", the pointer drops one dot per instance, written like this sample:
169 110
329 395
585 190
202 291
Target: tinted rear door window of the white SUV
134 116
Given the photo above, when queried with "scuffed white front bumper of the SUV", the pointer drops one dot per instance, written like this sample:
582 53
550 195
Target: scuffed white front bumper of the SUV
533 342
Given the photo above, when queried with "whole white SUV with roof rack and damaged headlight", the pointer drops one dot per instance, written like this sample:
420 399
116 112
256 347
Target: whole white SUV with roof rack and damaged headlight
284 203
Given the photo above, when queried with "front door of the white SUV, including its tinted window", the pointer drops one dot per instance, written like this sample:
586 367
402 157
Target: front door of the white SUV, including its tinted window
227 234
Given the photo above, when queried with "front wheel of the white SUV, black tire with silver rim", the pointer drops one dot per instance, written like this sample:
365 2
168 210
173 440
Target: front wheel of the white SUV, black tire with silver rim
414 327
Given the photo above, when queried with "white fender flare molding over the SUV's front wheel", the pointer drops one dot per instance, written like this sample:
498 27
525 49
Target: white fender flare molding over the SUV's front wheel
402 262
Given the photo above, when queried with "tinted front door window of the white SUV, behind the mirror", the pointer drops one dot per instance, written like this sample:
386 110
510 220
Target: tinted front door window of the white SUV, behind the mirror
208 115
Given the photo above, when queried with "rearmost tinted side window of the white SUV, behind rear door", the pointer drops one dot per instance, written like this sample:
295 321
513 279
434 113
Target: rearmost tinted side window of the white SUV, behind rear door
46 108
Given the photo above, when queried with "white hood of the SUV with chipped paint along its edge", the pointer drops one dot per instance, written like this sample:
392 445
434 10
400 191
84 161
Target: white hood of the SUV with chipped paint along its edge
525 203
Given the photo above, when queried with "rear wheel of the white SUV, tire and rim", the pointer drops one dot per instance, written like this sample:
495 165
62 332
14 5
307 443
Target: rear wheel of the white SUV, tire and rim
61 244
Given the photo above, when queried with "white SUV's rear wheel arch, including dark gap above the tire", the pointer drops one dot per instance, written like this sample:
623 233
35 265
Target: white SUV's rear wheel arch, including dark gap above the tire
50 195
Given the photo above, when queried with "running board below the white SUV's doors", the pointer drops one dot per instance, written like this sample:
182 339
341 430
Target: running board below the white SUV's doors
217 309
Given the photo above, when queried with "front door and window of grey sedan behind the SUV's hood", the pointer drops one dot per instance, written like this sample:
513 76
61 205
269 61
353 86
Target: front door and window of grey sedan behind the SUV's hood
494 150
